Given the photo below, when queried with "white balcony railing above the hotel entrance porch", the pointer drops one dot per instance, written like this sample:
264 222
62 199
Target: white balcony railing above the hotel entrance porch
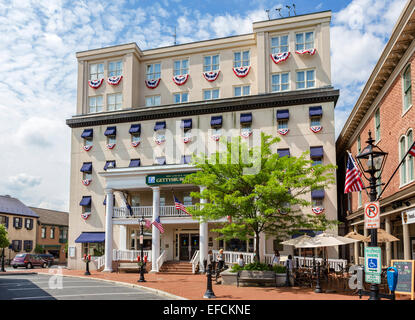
165 211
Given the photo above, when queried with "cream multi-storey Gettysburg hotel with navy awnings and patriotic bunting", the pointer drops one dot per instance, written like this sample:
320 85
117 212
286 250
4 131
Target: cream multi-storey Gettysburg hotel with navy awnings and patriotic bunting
136 124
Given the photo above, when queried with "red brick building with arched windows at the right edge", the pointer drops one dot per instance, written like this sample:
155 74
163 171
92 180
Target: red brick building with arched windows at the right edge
385 107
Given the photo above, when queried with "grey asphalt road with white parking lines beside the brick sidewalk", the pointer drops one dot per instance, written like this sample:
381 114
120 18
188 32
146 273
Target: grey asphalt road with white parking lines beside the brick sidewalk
45 287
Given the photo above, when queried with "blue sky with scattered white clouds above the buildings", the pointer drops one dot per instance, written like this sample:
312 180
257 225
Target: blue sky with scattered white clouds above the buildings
39 39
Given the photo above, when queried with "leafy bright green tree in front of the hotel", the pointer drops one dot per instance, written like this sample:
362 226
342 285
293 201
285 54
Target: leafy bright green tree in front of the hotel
258 190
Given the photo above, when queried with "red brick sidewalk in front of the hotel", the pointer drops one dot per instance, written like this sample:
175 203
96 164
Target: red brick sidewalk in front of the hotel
193 287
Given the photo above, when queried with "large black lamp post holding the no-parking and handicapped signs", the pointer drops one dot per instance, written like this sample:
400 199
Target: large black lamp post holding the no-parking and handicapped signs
371 162
